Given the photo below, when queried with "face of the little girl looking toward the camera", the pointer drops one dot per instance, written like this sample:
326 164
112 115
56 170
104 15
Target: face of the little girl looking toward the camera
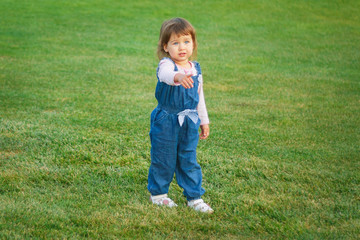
180 48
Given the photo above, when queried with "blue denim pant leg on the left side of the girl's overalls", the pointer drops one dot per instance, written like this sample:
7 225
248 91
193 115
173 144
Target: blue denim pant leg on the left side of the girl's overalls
163 156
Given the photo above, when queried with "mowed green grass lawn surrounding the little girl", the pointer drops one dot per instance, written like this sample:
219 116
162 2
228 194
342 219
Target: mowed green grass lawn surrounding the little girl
282 86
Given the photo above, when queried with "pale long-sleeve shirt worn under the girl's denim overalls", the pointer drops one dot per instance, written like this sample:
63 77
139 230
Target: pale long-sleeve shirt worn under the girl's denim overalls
167 74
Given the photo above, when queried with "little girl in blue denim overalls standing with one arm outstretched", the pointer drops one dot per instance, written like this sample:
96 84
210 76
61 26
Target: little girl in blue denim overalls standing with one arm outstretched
175 121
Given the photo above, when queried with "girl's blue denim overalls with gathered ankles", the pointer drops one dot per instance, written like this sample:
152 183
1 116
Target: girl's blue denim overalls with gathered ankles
174 136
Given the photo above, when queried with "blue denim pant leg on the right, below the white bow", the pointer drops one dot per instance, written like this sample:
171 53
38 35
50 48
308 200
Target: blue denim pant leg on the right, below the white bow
188 171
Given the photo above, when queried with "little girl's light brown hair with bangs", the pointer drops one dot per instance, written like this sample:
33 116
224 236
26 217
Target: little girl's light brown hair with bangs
179 26
